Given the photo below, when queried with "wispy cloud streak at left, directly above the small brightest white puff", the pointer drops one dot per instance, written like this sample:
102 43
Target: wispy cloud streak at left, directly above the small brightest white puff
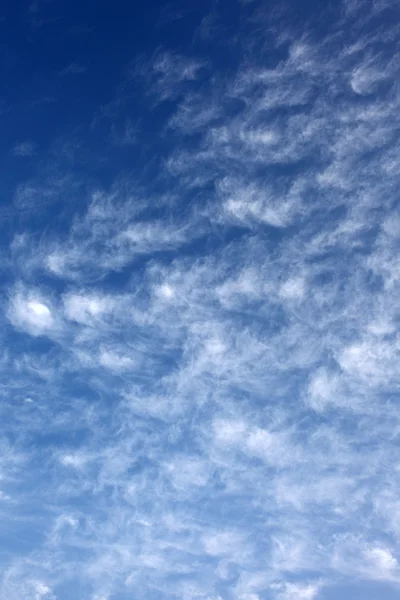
112 234
